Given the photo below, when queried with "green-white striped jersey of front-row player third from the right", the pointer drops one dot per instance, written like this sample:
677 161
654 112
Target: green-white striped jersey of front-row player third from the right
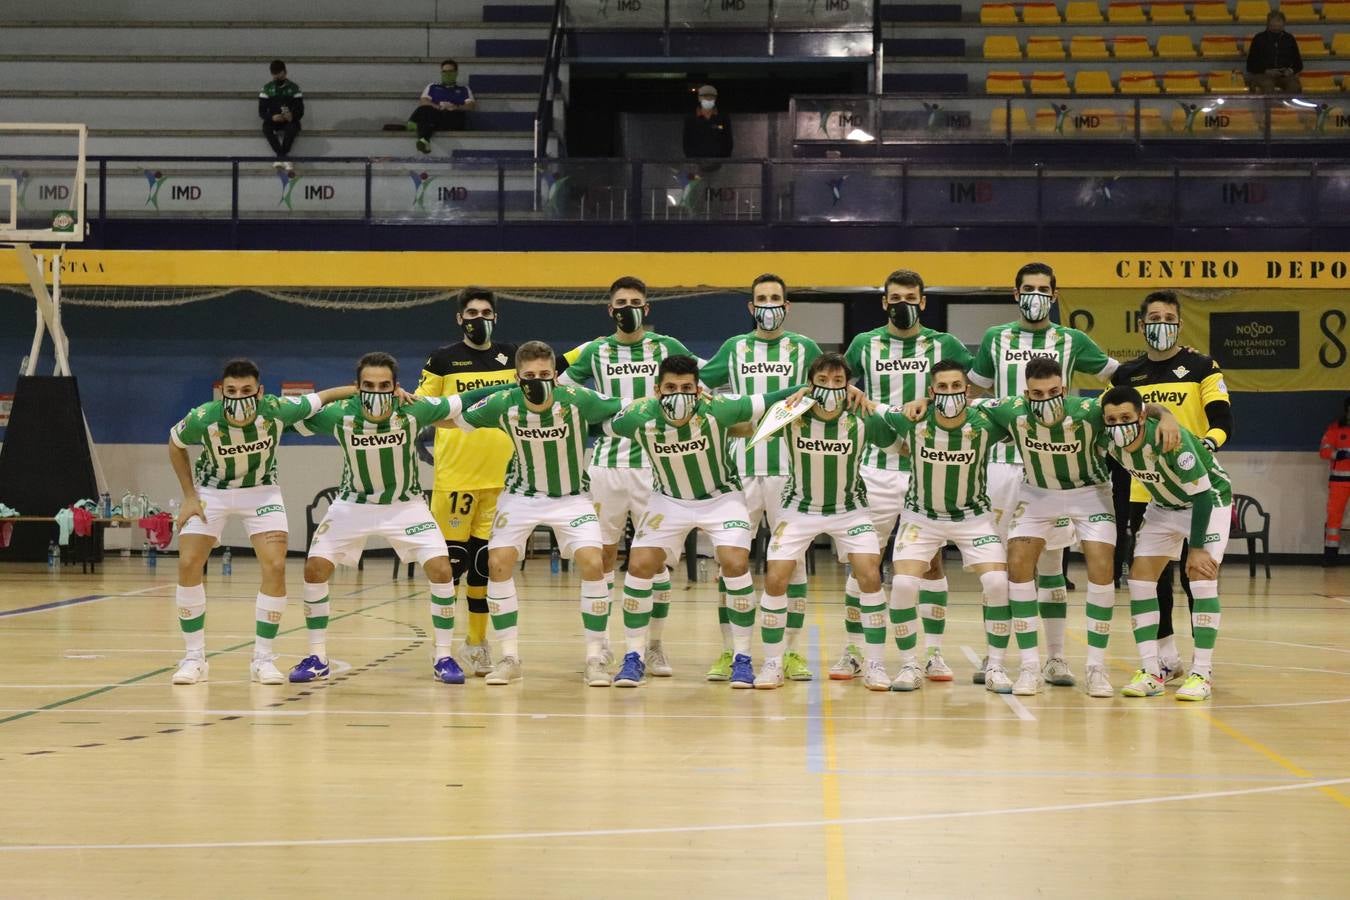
951 465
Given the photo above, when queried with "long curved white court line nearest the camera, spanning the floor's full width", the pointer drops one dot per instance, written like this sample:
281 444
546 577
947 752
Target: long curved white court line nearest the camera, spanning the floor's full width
680 829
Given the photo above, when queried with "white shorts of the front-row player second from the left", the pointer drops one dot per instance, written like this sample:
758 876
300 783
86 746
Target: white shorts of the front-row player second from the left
408 527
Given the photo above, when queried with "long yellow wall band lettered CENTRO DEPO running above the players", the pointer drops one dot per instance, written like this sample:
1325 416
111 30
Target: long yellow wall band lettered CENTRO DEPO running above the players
573 271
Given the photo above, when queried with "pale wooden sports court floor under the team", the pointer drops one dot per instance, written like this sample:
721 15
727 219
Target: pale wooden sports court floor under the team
384 783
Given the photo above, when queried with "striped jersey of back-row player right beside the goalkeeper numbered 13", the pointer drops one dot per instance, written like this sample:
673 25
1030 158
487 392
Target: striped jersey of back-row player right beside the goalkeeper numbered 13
626 373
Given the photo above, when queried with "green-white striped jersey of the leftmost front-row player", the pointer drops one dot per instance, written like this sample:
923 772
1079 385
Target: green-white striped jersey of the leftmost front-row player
241 457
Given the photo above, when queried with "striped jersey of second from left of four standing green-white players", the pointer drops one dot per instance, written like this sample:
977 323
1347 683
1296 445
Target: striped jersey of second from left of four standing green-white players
753 366
